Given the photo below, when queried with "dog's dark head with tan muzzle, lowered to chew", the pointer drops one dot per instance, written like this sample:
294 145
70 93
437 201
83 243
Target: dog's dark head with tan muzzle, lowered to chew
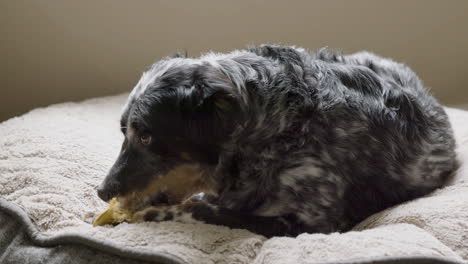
175 123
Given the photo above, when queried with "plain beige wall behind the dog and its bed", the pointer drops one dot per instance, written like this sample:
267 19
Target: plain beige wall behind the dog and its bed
54 50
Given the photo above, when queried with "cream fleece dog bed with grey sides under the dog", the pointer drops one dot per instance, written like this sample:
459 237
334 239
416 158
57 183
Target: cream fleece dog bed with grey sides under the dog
52 159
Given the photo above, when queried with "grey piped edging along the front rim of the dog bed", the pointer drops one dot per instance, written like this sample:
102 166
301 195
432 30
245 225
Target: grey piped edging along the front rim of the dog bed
39 240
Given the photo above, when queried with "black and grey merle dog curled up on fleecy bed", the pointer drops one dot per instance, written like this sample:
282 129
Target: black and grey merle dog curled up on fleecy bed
283 141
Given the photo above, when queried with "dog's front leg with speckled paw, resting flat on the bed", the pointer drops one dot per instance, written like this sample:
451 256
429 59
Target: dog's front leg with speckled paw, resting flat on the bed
192 212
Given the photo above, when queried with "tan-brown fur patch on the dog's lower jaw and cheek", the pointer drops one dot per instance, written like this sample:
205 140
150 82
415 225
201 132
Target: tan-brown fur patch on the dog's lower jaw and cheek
175 187
